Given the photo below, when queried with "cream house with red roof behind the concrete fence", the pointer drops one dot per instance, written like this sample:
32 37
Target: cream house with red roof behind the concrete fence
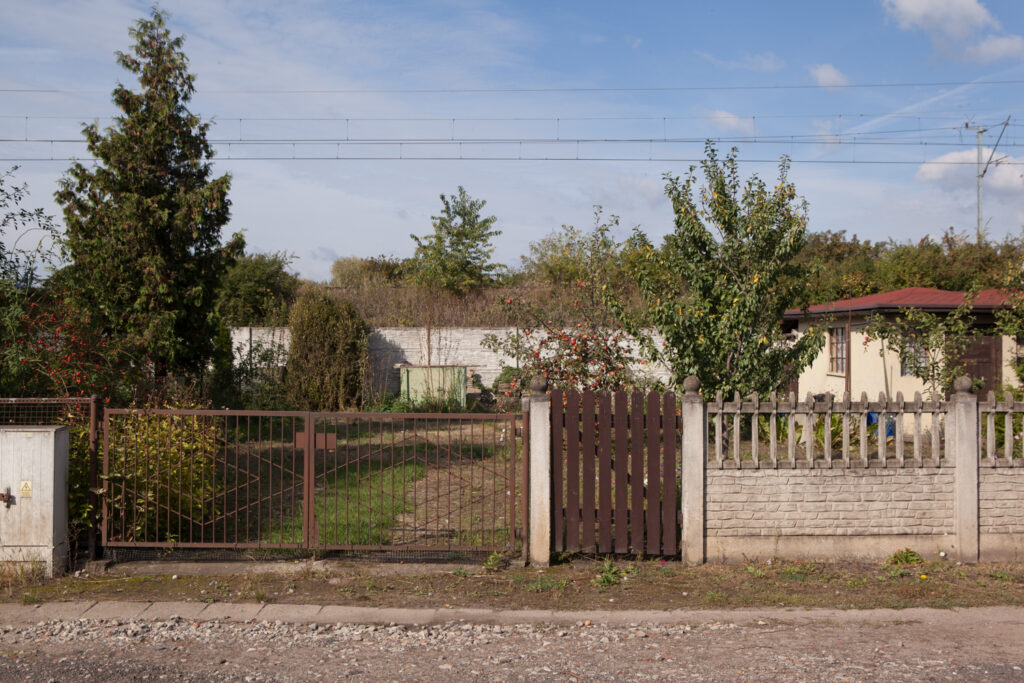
852 363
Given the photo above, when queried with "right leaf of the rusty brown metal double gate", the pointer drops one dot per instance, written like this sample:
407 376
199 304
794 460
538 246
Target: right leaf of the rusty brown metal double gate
419 482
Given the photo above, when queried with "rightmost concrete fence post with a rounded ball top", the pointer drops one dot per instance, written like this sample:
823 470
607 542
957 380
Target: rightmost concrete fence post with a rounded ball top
962 444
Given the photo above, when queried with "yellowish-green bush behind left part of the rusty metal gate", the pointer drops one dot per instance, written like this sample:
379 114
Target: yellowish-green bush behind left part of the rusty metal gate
170 462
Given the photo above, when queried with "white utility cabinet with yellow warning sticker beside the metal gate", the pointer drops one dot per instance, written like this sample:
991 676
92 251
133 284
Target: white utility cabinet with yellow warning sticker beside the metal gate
34 497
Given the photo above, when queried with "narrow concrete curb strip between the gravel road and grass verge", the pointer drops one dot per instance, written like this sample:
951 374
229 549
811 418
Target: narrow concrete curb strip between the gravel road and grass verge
18 615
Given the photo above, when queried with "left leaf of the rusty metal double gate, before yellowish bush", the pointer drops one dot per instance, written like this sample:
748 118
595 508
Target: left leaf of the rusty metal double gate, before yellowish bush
204 480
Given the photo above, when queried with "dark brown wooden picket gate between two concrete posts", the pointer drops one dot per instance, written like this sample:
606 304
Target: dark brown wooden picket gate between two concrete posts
615 473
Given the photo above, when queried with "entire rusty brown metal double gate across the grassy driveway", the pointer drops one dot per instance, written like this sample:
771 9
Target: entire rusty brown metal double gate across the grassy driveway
339 482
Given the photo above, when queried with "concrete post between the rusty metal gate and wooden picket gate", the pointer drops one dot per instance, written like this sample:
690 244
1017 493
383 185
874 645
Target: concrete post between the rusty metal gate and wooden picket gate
539 530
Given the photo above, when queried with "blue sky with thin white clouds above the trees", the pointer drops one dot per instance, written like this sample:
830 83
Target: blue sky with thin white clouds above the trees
343 123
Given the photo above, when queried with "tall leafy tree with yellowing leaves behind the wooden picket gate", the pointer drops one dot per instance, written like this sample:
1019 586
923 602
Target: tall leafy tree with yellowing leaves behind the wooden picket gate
717 289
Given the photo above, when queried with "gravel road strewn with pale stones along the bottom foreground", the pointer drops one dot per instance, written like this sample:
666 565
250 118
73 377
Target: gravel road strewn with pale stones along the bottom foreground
950 647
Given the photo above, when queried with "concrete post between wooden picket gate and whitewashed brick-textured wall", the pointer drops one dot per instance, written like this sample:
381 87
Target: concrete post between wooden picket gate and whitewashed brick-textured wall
695 460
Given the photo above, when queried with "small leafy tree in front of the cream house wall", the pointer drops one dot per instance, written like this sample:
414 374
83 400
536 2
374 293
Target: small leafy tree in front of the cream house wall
931 347
